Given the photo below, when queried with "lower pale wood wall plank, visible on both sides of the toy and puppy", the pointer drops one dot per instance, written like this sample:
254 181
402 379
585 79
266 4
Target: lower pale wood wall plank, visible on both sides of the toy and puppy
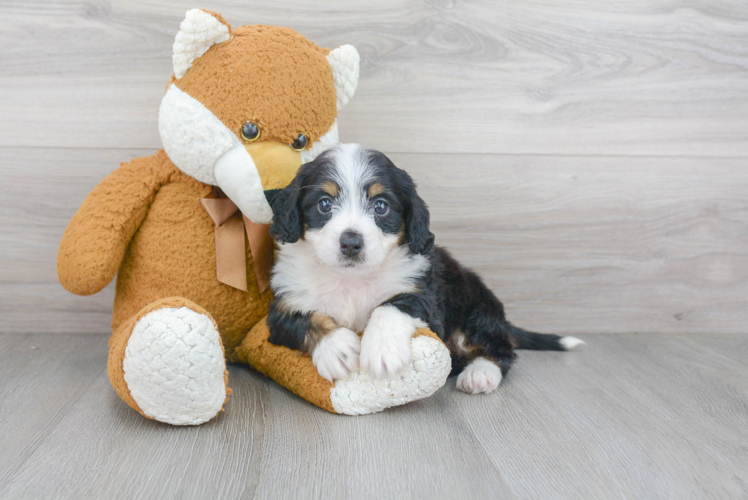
570 244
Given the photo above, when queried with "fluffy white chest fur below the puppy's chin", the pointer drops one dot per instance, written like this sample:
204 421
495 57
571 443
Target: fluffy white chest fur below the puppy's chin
308 285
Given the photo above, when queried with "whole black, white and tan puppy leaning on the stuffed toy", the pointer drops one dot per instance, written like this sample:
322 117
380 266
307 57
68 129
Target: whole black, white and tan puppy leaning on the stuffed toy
356 254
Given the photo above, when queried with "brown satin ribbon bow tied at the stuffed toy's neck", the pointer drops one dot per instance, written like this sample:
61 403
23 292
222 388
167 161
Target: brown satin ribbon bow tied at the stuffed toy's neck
231 264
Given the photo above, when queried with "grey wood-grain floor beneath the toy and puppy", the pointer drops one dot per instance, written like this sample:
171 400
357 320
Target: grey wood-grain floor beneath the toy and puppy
634 416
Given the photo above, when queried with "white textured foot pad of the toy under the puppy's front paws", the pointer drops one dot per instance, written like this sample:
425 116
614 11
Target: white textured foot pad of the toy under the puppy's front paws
360 394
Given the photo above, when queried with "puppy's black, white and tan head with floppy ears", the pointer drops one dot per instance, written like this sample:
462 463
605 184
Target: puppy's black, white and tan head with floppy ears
354 207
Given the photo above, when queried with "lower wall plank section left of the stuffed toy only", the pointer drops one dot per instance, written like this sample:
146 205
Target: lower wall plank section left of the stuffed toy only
41 190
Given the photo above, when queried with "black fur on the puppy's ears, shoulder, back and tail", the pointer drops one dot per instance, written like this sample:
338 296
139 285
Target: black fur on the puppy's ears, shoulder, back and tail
451 299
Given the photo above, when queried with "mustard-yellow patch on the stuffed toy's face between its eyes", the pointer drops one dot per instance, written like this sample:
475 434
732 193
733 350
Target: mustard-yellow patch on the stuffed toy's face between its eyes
277 163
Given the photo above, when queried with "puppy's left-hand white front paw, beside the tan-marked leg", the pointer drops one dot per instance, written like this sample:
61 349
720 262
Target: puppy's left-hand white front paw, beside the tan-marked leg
336 355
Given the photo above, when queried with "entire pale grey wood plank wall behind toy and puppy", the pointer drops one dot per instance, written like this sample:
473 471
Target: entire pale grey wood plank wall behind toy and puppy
589 158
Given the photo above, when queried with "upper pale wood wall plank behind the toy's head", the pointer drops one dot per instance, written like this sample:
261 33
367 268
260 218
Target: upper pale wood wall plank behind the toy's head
540 76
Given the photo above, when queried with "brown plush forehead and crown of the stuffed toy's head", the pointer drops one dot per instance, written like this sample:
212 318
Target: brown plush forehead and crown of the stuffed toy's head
255 76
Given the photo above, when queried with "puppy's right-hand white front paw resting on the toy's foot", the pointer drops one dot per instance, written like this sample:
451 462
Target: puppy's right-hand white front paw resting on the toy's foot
385 346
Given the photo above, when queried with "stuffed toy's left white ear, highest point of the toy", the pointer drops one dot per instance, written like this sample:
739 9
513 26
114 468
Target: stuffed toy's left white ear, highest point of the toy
199 31
